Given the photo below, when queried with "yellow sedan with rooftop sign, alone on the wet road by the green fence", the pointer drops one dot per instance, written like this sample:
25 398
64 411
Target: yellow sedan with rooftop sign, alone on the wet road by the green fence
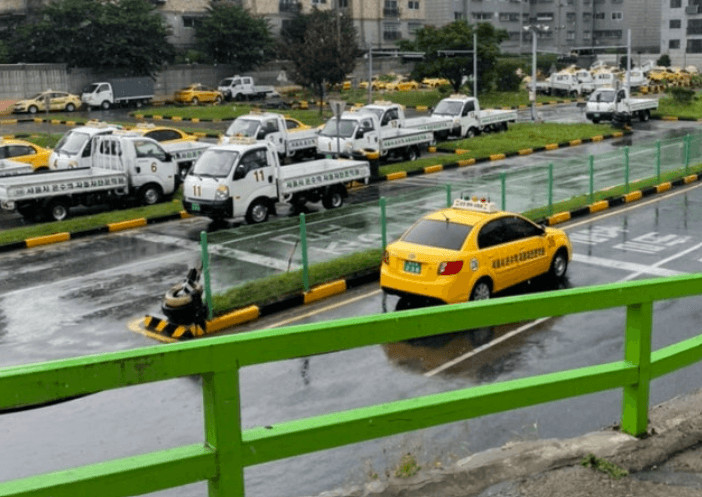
471 251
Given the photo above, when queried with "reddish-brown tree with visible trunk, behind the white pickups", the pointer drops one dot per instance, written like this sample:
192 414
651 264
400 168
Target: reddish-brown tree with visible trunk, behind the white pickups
316 52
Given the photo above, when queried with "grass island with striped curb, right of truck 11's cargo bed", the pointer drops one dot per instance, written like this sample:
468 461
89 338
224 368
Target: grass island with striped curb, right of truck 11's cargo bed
519 136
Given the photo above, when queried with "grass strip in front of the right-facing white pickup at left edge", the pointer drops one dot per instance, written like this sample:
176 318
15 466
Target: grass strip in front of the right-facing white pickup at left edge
89 221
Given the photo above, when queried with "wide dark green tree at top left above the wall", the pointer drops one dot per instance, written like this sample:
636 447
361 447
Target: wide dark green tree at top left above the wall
125 36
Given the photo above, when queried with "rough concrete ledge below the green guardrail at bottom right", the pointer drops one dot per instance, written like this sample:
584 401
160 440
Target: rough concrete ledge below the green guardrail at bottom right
668 462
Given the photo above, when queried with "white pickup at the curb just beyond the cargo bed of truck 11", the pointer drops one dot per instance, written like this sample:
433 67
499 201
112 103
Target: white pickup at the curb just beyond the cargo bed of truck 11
360 135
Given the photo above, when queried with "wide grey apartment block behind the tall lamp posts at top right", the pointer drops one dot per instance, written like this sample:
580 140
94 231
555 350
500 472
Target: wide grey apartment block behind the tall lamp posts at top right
570 23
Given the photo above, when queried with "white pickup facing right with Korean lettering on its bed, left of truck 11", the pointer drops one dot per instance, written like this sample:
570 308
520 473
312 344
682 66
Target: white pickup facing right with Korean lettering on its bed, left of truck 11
122 168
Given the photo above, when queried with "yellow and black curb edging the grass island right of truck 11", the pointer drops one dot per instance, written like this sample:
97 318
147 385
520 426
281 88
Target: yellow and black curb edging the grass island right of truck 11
493 157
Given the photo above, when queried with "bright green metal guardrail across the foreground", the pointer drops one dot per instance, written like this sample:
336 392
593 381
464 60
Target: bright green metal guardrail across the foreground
227 449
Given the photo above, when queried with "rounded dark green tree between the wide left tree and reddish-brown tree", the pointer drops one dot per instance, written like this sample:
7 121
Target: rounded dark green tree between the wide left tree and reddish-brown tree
231 35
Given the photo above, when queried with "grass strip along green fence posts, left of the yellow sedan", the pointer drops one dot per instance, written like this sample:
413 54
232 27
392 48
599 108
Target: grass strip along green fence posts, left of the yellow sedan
273 287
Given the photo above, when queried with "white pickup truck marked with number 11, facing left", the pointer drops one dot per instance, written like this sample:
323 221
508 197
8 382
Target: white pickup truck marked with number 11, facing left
245 179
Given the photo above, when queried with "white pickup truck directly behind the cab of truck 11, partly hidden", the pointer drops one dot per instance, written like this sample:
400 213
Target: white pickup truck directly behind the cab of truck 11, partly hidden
289 136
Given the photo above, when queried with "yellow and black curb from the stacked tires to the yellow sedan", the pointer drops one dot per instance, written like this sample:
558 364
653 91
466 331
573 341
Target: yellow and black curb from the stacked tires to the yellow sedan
163 330
